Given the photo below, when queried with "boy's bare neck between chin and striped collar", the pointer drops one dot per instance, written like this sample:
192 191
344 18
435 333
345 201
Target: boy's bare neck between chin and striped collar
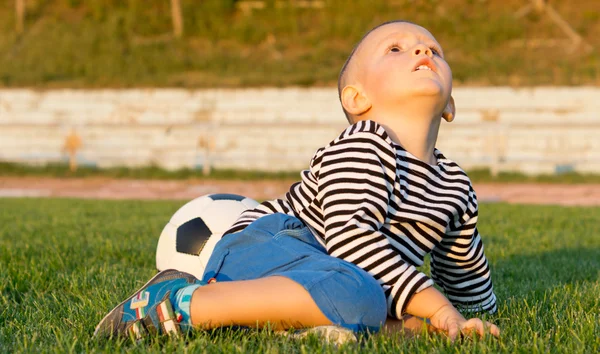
417 134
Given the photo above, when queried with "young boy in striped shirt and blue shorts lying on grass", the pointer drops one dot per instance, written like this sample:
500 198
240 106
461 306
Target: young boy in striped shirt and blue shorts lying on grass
342 247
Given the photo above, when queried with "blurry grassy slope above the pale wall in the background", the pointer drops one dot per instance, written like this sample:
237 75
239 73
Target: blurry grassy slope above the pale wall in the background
112 43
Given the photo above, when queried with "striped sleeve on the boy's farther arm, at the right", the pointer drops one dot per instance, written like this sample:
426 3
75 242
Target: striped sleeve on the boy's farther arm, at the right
459 266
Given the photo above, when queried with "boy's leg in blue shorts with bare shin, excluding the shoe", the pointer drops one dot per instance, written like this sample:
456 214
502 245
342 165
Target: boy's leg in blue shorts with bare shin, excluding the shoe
278 272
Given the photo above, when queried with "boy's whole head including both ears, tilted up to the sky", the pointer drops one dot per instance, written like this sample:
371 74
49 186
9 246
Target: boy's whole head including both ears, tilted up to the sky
395 65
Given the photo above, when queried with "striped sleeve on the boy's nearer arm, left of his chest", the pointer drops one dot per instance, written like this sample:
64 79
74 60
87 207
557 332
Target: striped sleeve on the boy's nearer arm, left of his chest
355 180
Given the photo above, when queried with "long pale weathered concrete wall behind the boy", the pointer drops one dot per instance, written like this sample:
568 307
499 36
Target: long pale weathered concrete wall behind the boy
528 130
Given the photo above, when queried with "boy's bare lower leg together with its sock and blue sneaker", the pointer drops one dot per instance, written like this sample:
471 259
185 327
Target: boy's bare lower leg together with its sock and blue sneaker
158 307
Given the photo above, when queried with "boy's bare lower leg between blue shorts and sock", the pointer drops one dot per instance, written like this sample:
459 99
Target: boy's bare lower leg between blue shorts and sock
276 300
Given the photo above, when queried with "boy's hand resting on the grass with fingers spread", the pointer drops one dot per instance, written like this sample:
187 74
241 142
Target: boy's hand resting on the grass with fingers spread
449 320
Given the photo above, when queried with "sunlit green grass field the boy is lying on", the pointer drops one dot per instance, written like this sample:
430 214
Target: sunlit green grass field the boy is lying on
65 263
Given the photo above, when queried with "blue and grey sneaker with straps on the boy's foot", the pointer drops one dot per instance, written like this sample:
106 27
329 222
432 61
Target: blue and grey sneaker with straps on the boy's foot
149 310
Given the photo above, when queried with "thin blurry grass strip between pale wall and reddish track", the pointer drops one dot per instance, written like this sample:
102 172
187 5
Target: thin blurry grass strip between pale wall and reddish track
152 172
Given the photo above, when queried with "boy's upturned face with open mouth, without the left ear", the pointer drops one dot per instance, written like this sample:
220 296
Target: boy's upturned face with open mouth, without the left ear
403 61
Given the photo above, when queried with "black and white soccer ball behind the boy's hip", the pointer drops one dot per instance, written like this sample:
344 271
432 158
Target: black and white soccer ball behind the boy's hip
188 239
